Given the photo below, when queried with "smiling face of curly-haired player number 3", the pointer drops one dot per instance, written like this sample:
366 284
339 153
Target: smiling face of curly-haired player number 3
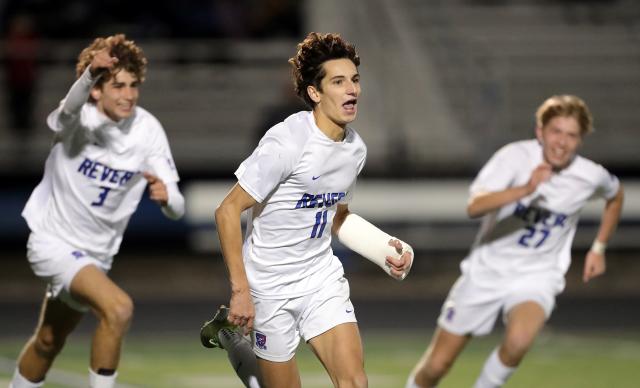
117 98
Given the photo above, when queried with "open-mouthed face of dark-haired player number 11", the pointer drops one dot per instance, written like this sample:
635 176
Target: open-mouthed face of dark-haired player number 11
338 100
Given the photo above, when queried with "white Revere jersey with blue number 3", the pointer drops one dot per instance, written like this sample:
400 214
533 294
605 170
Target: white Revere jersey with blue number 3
93 178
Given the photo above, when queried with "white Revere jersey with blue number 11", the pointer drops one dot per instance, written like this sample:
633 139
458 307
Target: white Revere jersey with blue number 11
298 176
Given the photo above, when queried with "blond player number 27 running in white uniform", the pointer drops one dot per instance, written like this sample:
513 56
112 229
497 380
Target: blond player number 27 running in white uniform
530 194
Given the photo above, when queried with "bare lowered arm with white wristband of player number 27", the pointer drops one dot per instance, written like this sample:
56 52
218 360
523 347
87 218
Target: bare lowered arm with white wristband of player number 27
595 262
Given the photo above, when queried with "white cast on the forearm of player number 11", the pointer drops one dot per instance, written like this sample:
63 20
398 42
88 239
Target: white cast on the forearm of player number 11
366 239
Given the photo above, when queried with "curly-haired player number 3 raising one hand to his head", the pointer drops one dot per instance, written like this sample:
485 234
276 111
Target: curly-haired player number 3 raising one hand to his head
106 151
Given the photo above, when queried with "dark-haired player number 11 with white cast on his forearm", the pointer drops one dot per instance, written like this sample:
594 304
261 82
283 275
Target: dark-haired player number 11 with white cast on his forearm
285 281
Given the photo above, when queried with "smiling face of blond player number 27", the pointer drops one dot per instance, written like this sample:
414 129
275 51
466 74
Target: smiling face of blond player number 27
560 140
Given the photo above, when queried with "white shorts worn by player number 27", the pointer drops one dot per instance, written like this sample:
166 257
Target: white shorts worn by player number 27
471 308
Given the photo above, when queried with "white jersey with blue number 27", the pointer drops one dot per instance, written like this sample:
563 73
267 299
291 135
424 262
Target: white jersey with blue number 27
535 233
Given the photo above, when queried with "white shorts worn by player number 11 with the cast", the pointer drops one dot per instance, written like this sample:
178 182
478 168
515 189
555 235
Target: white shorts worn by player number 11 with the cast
280 323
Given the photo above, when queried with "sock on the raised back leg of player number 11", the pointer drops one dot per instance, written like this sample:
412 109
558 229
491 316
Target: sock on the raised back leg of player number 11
241 356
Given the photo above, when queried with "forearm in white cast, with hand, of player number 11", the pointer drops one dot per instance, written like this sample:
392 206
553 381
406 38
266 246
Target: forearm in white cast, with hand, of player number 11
394 256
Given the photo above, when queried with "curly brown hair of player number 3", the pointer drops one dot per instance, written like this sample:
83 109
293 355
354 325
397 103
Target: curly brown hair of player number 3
130 57
